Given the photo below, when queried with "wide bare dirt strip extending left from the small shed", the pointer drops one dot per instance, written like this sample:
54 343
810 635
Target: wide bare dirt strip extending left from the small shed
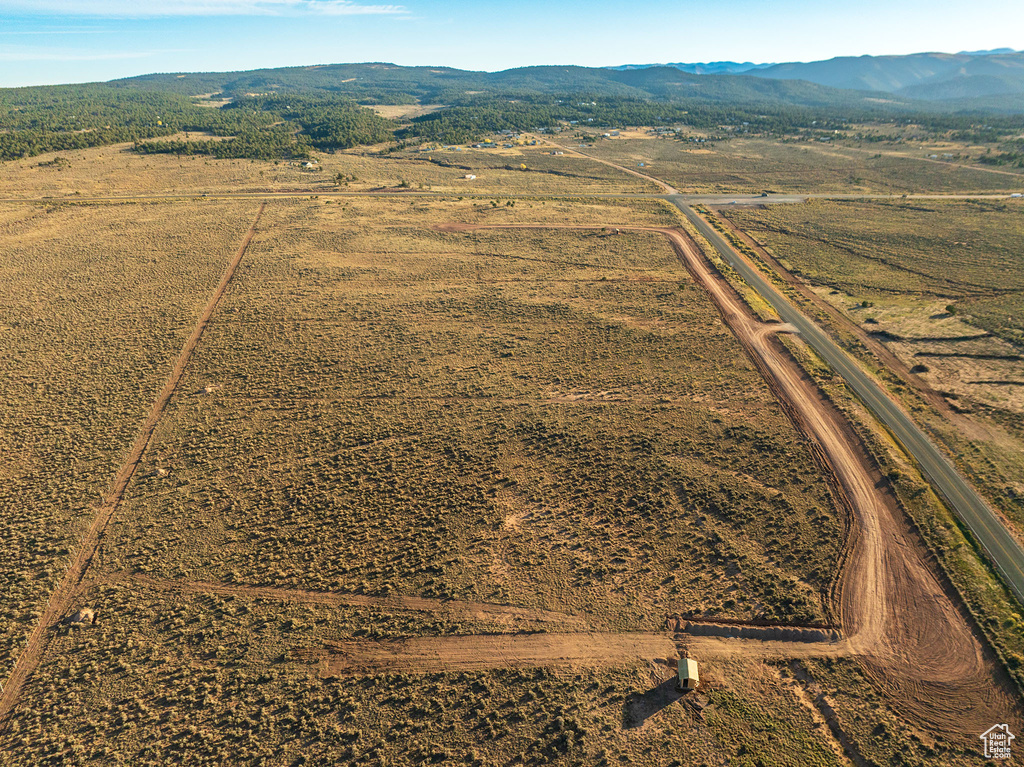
495 651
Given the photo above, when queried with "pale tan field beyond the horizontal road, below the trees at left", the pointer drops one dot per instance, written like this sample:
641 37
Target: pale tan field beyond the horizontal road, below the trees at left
117 171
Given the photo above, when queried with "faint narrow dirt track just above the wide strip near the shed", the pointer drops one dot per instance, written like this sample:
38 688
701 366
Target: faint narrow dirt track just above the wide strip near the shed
453 608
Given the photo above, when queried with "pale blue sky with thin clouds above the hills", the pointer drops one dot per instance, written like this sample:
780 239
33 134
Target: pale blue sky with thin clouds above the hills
71 41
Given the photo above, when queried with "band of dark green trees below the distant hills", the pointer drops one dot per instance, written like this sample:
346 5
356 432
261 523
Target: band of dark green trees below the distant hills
286 124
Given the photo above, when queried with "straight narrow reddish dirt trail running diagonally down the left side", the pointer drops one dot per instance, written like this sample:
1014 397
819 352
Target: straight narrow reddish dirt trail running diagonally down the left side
63 596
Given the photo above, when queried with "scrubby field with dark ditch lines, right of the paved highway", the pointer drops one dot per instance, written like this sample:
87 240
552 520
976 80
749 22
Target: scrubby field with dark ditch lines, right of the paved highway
895 259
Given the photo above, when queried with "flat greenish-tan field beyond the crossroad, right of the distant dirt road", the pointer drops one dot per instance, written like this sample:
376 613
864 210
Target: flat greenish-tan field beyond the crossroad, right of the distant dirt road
755 165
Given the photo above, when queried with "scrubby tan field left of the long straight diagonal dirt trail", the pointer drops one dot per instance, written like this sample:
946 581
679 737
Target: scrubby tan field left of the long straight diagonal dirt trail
99 302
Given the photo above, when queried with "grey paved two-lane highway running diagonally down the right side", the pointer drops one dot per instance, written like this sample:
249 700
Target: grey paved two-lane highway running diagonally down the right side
1003 549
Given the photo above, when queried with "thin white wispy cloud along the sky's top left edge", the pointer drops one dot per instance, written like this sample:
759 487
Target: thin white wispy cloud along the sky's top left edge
136 10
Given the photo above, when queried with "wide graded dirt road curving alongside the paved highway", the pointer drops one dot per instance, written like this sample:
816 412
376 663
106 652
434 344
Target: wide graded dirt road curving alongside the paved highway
893 611
